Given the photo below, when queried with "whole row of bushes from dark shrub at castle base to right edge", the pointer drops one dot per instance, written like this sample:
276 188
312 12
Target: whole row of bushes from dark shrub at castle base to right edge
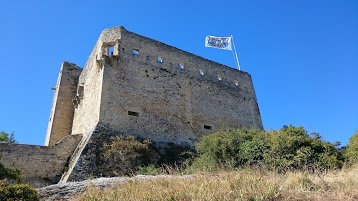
287 149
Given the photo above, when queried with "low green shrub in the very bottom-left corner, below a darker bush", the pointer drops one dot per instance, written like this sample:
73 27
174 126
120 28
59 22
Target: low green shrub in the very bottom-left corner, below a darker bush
14 192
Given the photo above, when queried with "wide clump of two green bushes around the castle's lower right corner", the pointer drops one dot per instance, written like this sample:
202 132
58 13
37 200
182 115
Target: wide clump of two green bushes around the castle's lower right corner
289 148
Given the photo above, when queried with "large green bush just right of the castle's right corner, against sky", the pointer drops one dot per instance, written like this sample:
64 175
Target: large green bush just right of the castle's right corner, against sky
292 148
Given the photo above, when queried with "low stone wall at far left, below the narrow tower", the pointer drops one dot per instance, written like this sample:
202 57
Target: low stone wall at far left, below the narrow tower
40 165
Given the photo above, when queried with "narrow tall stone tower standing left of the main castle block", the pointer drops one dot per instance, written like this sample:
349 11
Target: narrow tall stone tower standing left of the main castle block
61 116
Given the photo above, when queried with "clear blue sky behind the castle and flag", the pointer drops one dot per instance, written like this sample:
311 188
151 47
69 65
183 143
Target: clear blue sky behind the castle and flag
302 55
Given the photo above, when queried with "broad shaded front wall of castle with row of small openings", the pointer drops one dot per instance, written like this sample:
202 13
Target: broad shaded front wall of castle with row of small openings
166 94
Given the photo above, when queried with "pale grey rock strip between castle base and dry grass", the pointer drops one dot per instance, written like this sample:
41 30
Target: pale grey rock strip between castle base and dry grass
70 190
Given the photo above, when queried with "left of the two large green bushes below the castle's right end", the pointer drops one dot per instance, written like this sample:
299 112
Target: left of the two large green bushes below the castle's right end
230 149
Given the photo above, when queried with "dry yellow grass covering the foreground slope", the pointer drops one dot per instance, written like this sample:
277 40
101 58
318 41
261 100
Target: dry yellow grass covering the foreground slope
238 185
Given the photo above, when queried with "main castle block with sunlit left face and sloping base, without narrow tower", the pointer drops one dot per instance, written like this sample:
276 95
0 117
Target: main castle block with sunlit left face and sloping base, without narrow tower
138 86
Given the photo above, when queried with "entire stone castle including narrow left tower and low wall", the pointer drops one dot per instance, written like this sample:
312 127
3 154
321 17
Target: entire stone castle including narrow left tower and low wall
136 86
